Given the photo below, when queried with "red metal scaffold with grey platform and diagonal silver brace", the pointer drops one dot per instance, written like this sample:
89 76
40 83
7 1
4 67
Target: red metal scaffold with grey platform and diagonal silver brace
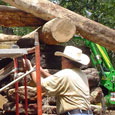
14 53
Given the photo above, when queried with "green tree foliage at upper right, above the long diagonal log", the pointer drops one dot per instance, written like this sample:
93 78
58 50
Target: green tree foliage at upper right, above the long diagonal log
102 11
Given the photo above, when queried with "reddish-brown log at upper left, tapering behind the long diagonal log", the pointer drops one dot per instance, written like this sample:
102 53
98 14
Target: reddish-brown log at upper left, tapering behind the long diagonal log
13 17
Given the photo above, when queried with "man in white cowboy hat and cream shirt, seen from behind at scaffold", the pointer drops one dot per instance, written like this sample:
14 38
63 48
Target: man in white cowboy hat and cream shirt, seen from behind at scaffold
69 85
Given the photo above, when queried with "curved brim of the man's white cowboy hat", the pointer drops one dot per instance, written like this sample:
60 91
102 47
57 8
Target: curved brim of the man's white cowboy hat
84 59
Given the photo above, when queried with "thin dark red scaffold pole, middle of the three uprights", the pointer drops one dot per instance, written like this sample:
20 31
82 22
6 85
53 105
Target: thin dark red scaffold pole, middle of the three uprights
25 85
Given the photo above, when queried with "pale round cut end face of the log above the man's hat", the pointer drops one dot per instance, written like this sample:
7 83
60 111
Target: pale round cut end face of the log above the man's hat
63 30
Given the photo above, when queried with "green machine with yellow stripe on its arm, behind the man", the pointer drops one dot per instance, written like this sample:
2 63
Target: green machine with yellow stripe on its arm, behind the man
101 61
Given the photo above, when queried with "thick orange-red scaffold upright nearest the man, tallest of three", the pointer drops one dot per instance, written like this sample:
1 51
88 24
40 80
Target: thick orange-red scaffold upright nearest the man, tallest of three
37 56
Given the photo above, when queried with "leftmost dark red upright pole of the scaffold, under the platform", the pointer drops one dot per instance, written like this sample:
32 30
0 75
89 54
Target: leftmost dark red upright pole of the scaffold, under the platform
16 86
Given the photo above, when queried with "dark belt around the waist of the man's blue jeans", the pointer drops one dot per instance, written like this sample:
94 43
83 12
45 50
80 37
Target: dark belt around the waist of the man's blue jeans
77 111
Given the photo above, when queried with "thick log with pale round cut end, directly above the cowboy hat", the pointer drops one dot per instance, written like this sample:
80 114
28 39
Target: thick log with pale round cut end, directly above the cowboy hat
57 30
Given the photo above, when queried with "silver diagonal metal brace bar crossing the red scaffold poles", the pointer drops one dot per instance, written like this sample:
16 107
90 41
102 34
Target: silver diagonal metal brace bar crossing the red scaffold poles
19 78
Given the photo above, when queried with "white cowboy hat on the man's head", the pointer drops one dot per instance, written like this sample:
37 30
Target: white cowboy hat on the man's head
74 54
